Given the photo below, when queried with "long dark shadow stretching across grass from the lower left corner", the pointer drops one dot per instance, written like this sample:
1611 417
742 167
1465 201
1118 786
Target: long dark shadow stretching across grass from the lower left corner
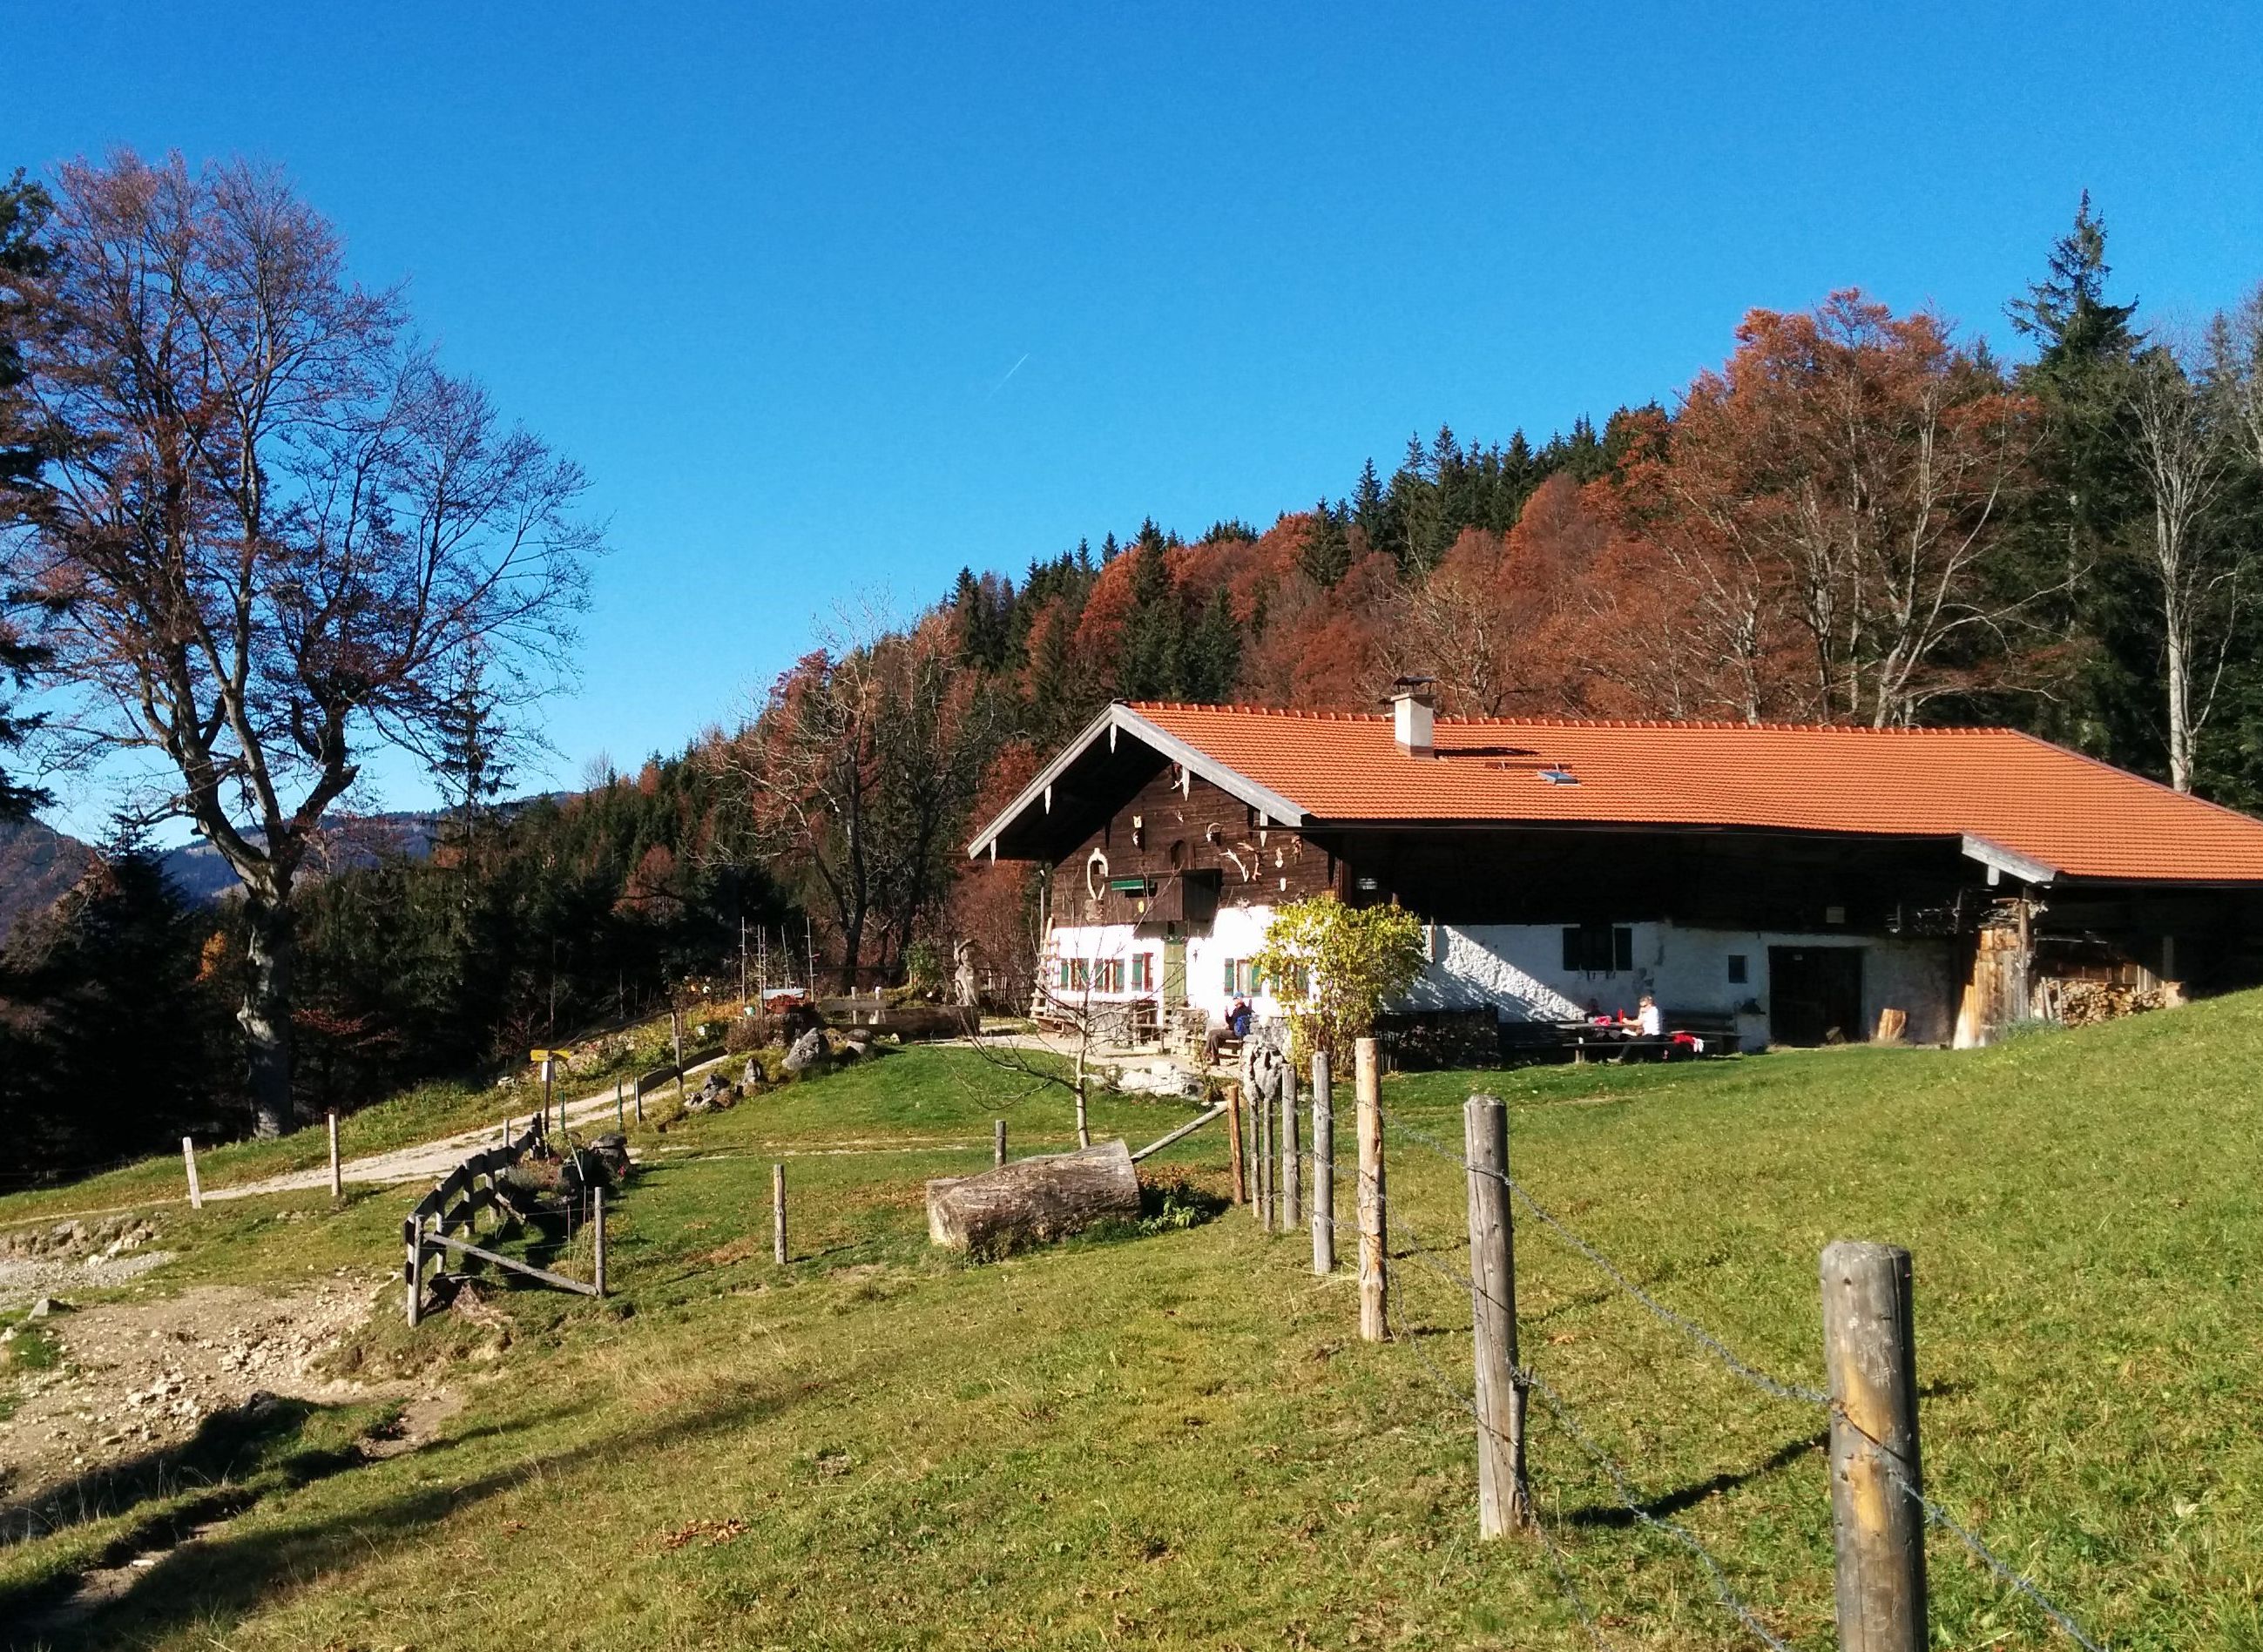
230 1574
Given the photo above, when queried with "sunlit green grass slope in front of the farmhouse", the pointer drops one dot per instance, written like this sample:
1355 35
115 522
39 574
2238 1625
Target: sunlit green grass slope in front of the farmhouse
1176 1438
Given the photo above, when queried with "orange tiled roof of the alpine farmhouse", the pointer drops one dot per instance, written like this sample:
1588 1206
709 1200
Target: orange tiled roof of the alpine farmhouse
2027 795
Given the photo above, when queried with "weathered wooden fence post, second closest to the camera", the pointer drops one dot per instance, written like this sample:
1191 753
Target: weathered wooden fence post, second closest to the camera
1492 1300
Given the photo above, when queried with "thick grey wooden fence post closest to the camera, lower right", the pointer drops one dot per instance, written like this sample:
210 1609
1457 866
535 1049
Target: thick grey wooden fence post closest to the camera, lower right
1877 1522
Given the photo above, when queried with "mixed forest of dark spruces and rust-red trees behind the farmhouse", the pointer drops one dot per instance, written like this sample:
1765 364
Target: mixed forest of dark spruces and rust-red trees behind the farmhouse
1857 517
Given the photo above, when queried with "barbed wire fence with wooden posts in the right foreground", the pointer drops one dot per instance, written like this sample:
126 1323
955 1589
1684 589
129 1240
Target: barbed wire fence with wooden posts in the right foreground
1395 1241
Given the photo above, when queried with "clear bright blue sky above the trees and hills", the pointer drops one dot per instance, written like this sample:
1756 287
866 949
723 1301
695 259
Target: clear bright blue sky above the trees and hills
838 302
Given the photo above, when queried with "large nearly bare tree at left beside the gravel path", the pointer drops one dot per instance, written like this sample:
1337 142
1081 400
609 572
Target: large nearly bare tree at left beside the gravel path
275 533
